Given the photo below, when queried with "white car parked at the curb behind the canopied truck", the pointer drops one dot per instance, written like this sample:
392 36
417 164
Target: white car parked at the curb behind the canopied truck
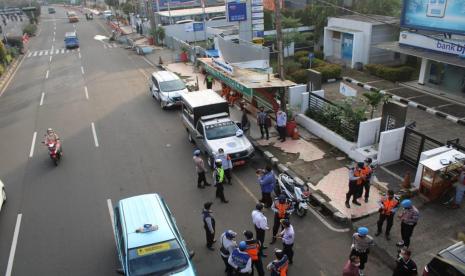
167 88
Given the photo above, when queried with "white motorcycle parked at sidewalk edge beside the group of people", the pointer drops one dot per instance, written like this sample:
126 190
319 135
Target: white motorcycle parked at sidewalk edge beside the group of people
298 194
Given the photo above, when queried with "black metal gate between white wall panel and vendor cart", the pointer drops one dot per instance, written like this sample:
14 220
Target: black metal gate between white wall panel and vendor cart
414 144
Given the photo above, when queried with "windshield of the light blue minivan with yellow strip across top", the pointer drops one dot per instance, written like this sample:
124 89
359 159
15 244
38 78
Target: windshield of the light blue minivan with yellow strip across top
157 259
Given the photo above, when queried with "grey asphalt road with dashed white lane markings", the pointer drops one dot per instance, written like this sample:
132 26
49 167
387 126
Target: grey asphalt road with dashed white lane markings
61 213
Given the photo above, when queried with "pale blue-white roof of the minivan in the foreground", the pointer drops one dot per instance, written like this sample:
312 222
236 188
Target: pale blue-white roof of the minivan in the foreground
145 209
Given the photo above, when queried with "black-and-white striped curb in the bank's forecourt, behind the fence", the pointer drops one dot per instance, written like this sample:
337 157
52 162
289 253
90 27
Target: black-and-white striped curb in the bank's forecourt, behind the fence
407 101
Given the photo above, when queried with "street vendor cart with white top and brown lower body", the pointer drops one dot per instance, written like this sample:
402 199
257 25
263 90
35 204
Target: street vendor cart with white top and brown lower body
440 172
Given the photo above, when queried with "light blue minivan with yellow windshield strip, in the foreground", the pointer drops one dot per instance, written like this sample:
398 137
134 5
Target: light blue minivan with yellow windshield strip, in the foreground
148 240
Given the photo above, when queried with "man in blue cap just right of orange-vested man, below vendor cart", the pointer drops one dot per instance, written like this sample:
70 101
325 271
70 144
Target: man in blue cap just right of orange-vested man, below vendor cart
409 219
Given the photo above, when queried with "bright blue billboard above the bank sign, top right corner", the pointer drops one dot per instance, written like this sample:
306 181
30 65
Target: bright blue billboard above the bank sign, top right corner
445 16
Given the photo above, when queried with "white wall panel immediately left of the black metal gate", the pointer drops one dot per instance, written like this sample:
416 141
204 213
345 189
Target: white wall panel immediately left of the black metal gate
390 145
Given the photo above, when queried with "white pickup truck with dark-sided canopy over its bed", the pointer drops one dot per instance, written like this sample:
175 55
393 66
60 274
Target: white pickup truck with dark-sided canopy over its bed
206 117
